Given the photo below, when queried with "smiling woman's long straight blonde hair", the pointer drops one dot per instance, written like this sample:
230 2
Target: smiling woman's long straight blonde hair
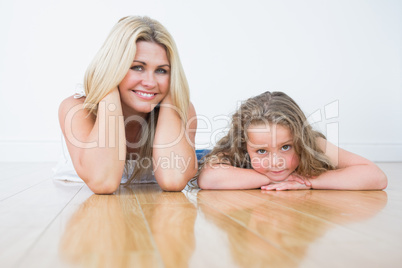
113 61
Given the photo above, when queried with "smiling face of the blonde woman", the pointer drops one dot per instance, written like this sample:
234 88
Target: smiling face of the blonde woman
147 81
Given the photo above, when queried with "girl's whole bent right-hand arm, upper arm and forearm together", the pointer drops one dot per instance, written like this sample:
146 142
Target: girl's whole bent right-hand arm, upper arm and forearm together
353 172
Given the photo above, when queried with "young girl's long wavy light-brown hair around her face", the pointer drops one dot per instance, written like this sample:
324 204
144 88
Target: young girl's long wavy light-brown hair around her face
272 108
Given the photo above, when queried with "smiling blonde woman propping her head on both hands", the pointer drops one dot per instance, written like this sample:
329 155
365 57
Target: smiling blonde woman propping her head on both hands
131 120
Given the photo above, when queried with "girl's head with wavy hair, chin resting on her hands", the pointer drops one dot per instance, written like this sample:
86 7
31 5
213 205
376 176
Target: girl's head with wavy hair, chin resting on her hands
271 134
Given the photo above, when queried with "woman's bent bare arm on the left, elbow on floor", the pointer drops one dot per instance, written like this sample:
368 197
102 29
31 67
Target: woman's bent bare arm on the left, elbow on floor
97 144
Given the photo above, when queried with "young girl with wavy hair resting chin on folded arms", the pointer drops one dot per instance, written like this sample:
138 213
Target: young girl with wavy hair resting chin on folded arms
271 146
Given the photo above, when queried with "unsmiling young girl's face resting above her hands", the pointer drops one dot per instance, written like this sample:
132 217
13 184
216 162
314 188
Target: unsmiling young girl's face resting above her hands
271 150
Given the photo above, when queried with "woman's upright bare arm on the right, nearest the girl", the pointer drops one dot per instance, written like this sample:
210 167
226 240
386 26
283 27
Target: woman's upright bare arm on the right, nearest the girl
174 158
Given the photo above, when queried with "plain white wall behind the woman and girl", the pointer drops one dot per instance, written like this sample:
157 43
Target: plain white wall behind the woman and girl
344 52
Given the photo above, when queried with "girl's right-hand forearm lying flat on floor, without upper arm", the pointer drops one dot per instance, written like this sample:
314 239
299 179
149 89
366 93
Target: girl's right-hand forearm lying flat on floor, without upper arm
359 177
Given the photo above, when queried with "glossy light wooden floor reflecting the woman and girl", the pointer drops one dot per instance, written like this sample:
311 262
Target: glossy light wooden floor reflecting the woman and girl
47 223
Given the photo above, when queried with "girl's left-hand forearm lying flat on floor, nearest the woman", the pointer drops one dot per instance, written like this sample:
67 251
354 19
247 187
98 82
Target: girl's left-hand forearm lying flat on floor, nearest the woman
225 176
